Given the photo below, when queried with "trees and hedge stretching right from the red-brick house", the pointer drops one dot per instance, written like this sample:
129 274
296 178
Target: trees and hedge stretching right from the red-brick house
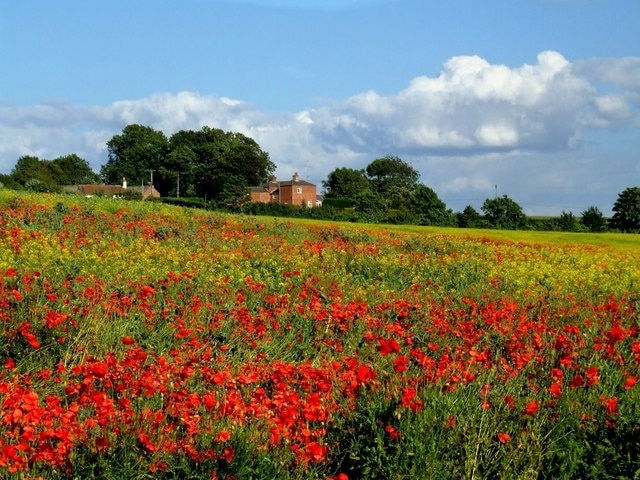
388 191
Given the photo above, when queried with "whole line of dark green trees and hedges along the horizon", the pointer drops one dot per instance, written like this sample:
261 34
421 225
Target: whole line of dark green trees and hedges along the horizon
213 168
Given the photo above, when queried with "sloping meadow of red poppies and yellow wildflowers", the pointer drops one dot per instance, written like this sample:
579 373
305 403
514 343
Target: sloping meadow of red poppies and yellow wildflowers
141 341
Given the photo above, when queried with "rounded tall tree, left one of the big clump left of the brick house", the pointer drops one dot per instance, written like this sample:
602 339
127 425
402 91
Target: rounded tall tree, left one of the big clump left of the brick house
135 155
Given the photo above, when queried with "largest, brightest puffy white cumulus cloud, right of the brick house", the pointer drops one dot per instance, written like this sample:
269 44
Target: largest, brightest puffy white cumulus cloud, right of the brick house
476 107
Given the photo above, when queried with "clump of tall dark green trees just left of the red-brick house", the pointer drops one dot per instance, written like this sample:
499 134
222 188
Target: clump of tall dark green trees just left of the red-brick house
209 163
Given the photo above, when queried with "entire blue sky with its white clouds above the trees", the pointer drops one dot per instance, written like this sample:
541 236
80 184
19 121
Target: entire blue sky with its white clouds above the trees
538 97
